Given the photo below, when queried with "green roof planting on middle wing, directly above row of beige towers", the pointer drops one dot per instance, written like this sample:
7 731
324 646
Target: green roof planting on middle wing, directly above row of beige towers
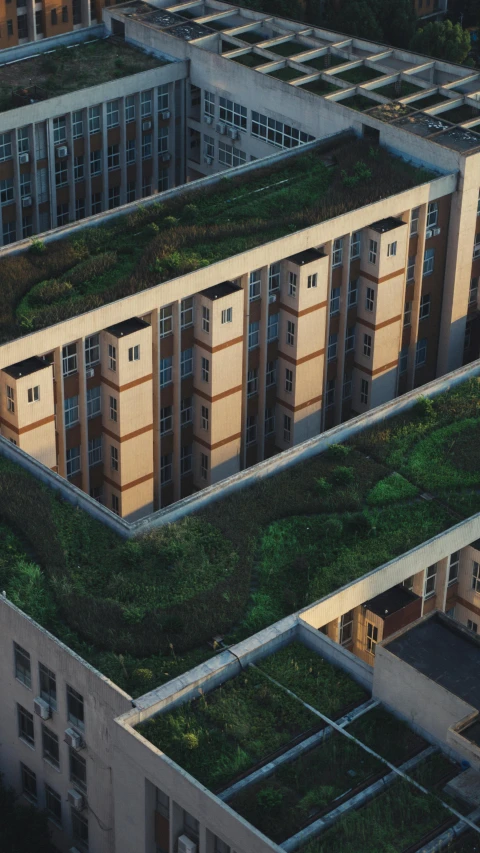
54 281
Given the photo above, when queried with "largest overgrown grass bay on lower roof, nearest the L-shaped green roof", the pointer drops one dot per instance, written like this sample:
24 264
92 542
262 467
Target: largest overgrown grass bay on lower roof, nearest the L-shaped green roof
227 731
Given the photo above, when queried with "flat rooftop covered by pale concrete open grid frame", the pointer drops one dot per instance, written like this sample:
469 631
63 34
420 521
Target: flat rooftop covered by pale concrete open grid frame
357 74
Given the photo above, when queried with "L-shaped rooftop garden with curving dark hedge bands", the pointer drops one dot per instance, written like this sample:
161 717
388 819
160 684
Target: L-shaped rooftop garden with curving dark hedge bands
299 535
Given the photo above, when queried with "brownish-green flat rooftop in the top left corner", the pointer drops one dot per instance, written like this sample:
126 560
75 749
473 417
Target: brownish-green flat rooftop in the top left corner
68 68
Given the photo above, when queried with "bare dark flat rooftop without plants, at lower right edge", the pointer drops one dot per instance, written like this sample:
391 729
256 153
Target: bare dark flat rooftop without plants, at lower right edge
445 652
